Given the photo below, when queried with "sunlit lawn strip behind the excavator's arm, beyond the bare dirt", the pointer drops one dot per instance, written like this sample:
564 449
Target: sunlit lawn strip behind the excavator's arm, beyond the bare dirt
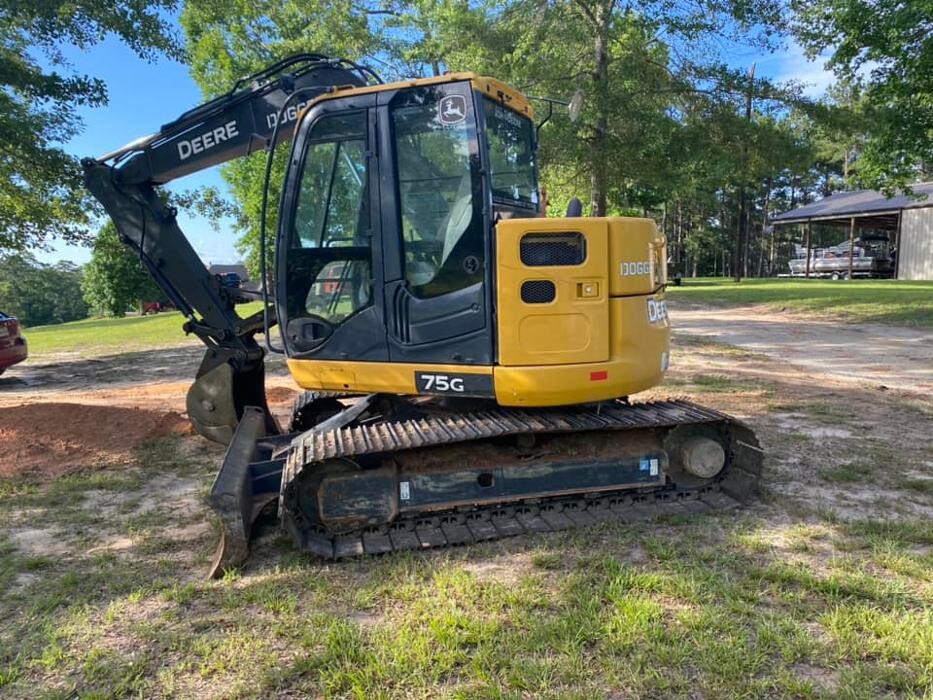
98 336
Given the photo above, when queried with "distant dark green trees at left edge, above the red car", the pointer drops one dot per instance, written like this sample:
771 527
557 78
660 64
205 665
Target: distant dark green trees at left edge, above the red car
39 294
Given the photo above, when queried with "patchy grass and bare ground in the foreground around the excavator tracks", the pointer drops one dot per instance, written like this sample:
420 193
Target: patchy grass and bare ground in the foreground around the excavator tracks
822 590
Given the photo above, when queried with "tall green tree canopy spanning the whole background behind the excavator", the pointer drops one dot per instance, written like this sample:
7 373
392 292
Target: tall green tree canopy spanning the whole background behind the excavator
669 128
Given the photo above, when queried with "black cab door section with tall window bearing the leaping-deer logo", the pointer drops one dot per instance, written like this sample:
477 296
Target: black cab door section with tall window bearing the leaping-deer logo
435 222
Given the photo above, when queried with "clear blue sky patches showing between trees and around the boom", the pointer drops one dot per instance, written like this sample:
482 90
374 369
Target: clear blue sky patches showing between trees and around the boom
143 96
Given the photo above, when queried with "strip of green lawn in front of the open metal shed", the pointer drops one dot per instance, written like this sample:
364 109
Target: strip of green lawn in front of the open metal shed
886 301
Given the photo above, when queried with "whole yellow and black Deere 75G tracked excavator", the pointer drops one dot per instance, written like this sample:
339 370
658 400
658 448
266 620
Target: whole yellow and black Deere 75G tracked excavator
467 362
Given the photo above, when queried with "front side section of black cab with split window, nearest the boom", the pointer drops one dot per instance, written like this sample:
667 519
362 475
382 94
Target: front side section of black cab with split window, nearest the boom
329 269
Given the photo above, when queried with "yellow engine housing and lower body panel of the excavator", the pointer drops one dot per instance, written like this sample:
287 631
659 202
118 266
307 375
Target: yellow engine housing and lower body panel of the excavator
604 334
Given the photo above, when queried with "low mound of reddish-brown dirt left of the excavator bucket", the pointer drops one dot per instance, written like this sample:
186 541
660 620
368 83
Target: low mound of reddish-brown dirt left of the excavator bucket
53 438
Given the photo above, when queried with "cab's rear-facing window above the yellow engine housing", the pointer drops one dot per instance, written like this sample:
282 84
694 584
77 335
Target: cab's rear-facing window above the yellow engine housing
511 156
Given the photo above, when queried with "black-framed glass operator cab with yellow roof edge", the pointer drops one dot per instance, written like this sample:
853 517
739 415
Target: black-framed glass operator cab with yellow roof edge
386 238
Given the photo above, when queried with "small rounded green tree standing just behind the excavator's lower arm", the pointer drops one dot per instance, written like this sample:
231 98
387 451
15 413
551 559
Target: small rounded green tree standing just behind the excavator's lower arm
114 279
